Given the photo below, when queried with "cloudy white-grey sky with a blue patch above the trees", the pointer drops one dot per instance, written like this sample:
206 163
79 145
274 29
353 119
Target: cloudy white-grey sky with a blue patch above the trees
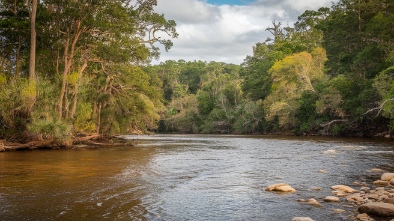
226 30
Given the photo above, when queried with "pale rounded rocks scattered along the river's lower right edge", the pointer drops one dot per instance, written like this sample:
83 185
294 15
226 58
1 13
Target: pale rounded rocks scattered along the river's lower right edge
368 203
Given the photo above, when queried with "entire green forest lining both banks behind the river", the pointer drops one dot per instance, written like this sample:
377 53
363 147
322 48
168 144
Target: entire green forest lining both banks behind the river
71 69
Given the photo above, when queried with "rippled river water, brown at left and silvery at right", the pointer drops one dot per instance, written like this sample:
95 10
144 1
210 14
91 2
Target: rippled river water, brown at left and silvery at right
188 177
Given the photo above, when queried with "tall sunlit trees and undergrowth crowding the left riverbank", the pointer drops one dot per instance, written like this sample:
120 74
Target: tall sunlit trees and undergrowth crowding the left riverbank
88 76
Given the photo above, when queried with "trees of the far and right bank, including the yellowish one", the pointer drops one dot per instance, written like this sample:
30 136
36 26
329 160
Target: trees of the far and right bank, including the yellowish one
332 73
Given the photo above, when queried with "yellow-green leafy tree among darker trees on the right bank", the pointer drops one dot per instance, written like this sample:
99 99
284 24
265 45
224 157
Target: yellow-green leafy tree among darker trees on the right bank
291 77
